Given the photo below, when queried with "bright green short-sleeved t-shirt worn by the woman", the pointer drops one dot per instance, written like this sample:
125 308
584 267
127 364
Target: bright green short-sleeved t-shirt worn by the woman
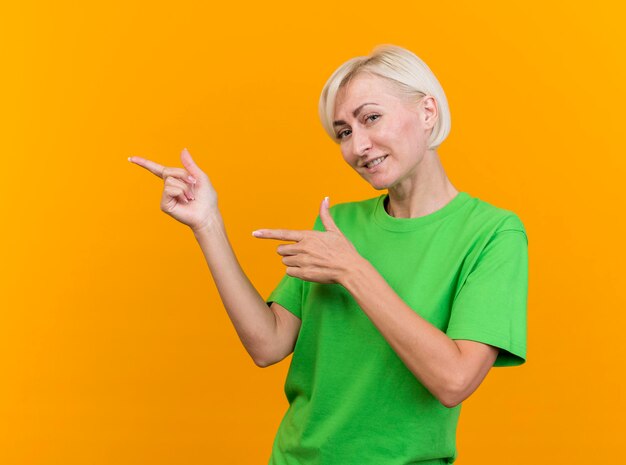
464 268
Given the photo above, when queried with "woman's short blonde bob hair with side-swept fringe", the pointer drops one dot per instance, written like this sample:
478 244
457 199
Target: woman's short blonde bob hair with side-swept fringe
404 69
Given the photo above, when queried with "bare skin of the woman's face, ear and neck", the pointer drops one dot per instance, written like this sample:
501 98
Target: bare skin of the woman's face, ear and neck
399 128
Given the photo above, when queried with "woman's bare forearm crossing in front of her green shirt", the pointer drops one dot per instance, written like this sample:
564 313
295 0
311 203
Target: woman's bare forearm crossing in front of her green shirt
429 353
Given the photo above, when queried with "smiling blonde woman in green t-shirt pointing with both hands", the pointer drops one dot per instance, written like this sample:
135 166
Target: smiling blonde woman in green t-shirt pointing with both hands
395 307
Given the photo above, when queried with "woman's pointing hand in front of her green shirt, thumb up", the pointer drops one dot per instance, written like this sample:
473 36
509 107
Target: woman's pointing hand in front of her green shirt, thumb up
318 256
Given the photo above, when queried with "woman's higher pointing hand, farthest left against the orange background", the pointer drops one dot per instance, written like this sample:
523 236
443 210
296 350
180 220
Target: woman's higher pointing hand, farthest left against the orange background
192 201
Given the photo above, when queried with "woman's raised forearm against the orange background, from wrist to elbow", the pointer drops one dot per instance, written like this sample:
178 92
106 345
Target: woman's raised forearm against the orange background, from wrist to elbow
253 320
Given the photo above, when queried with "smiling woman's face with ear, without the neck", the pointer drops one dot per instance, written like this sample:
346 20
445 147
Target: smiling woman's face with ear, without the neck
374 122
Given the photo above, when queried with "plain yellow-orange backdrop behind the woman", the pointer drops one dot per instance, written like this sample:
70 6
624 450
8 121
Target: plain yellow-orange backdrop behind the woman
114 346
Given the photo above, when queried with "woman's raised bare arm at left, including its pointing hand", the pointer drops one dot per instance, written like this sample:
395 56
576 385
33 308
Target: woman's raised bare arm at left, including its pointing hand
268 334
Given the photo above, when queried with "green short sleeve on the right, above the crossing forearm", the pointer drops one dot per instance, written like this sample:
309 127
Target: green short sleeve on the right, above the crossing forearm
490 307
